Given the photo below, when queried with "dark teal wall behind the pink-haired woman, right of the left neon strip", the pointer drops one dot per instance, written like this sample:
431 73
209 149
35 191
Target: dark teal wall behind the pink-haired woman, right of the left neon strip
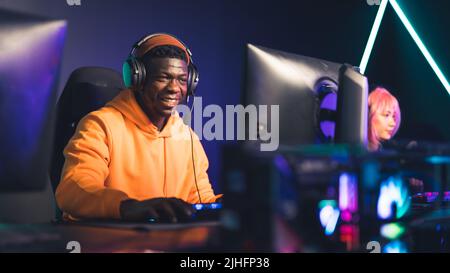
398 64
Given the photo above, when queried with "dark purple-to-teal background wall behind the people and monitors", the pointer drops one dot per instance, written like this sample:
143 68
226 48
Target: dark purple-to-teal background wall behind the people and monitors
100 33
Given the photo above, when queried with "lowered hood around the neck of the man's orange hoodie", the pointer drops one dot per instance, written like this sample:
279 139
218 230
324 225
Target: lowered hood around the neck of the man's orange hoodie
125 102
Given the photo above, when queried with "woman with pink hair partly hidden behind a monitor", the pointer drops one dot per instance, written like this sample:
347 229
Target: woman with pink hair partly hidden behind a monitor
384 117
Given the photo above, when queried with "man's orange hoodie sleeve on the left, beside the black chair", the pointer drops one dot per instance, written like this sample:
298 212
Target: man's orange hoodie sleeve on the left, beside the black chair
81 191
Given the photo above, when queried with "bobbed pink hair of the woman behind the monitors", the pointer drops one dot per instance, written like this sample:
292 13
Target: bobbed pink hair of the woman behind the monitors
381 100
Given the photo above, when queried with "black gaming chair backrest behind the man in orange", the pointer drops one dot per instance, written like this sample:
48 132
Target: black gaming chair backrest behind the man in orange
88 89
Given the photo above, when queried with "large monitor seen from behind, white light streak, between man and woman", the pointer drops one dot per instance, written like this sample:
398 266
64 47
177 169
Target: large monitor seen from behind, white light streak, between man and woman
304 88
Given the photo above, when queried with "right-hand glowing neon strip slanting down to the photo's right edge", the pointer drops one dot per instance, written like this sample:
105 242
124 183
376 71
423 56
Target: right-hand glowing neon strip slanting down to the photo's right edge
420 44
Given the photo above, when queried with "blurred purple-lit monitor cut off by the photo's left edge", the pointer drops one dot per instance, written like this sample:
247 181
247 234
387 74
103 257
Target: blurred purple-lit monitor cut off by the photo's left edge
30 55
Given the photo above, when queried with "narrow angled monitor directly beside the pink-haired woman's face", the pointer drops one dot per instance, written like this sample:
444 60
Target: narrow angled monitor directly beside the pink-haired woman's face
352 107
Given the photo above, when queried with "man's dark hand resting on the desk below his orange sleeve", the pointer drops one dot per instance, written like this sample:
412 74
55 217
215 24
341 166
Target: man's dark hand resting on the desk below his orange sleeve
160 209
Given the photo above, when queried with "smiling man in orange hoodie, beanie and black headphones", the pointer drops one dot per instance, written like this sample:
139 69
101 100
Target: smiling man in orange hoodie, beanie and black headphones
135 159
